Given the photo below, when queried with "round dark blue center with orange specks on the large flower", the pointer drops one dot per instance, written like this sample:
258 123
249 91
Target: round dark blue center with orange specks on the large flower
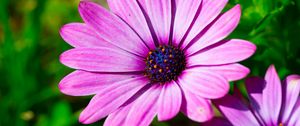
164 64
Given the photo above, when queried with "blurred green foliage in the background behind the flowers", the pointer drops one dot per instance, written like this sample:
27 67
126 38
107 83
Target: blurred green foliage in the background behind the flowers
30 46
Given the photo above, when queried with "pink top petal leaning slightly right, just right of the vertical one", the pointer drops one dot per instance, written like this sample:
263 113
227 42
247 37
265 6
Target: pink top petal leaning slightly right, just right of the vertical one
185 13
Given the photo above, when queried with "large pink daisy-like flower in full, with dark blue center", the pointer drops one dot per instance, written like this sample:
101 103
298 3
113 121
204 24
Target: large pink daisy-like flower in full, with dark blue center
152 57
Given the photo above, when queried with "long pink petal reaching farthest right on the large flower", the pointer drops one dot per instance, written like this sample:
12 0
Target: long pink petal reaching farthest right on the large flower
225 52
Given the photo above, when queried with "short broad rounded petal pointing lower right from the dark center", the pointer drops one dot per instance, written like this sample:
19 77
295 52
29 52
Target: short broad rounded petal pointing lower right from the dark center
204 83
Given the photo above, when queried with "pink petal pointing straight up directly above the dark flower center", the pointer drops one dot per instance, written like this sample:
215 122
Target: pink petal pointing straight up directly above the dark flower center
159 13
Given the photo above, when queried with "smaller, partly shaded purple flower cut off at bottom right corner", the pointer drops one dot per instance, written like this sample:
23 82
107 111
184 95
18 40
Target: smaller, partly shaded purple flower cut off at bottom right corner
271 103
